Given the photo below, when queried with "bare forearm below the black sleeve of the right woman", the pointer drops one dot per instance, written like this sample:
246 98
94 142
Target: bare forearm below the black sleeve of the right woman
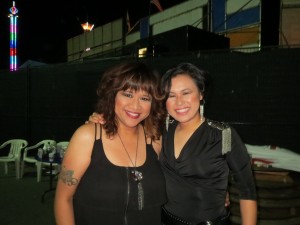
248 212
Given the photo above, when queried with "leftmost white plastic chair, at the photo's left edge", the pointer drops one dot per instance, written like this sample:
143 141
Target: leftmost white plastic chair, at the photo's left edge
14 154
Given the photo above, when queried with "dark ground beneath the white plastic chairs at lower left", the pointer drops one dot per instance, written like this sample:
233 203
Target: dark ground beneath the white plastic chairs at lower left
20 200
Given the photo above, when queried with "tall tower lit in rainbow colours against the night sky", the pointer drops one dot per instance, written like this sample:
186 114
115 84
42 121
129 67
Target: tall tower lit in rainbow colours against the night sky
13 37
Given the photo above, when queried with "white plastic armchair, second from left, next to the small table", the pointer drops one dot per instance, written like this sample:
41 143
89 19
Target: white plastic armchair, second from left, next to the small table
30 154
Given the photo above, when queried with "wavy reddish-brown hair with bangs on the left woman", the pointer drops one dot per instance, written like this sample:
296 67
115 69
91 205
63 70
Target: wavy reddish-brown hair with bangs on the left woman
133 75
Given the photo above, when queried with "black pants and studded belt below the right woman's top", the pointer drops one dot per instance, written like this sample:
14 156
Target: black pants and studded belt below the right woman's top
170 219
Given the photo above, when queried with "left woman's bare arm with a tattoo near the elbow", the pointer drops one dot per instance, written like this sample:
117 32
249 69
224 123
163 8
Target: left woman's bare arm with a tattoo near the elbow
74 165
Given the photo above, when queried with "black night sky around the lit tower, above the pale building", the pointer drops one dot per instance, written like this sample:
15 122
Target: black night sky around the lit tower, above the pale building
45 26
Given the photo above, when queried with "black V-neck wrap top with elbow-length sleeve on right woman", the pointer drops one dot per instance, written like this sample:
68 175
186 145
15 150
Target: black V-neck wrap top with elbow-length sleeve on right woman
197 180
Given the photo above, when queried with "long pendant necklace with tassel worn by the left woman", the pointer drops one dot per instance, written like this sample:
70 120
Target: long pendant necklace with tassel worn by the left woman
136 175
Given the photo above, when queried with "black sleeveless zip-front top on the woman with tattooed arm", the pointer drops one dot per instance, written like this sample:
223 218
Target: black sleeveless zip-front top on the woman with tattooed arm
107 195
